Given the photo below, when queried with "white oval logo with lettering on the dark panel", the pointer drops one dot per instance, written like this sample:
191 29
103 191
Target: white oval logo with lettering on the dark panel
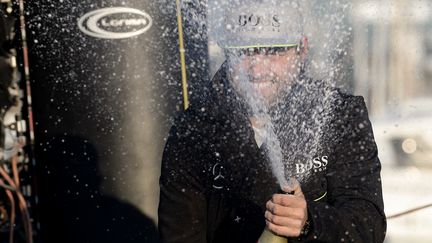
115 23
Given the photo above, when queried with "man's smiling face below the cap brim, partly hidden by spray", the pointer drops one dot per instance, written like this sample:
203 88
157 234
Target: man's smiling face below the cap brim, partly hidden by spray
264 71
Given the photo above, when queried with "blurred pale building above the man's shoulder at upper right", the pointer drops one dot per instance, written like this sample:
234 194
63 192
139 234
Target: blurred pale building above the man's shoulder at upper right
393 53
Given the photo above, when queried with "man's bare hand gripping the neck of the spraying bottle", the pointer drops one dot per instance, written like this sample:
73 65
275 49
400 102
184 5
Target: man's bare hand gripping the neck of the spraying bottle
286 214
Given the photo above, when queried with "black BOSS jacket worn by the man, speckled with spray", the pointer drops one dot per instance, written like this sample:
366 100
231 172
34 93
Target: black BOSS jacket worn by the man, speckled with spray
215 180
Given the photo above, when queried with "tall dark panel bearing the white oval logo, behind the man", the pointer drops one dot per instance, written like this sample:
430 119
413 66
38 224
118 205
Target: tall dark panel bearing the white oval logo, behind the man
106 85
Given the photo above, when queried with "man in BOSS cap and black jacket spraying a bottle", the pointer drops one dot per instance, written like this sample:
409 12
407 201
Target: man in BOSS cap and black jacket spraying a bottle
270 150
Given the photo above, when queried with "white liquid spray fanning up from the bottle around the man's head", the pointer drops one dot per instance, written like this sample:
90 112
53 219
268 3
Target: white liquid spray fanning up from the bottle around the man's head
295 128
